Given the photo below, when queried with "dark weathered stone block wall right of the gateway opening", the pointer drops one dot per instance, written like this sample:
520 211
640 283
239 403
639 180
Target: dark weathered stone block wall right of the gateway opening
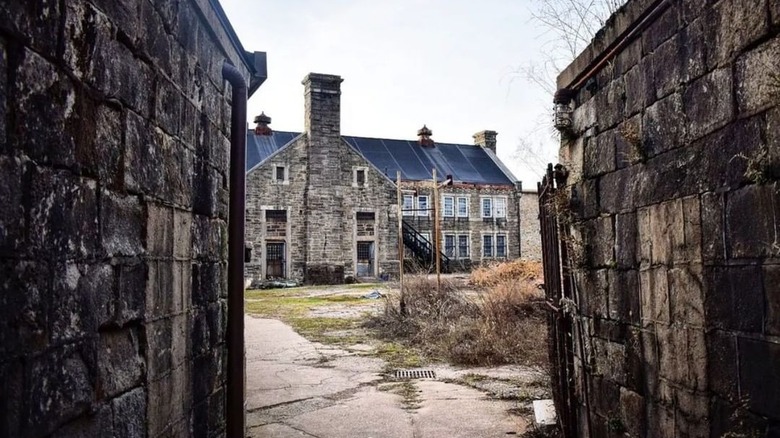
675 195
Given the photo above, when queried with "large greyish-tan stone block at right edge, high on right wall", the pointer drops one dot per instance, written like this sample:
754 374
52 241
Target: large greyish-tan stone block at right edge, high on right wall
756 79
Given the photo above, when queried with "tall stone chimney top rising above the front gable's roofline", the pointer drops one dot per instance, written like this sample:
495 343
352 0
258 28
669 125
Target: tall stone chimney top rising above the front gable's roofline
322 94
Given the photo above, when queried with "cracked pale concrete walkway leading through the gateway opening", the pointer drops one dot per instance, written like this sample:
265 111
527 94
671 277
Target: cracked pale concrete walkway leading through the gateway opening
296 388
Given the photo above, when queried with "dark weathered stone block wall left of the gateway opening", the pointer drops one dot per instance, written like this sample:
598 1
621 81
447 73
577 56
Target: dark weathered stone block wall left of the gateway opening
113 157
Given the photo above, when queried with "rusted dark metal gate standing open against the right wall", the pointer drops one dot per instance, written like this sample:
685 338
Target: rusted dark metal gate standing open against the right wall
558 289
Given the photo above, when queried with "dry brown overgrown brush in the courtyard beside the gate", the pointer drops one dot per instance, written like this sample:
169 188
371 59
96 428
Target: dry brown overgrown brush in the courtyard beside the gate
502 323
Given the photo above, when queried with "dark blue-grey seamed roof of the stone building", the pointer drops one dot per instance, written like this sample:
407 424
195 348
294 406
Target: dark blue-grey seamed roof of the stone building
466 163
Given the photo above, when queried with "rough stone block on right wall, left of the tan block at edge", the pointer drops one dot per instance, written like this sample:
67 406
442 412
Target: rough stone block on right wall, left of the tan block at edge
709 103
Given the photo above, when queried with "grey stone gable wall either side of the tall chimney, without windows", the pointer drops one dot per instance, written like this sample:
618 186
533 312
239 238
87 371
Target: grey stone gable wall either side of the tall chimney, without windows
338 238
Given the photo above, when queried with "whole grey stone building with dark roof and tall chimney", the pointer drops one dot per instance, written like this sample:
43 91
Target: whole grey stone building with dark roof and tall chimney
322 206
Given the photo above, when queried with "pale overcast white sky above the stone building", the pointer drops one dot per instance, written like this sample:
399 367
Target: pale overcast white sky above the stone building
450 64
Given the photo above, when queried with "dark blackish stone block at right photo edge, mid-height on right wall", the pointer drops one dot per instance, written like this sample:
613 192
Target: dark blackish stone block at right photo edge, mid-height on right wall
750 221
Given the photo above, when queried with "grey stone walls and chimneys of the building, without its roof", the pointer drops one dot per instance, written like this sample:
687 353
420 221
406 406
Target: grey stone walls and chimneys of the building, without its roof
329 215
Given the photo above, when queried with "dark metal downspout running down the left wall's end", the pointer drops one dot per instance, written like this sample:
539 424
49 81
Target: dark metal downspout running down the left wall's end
236 375
